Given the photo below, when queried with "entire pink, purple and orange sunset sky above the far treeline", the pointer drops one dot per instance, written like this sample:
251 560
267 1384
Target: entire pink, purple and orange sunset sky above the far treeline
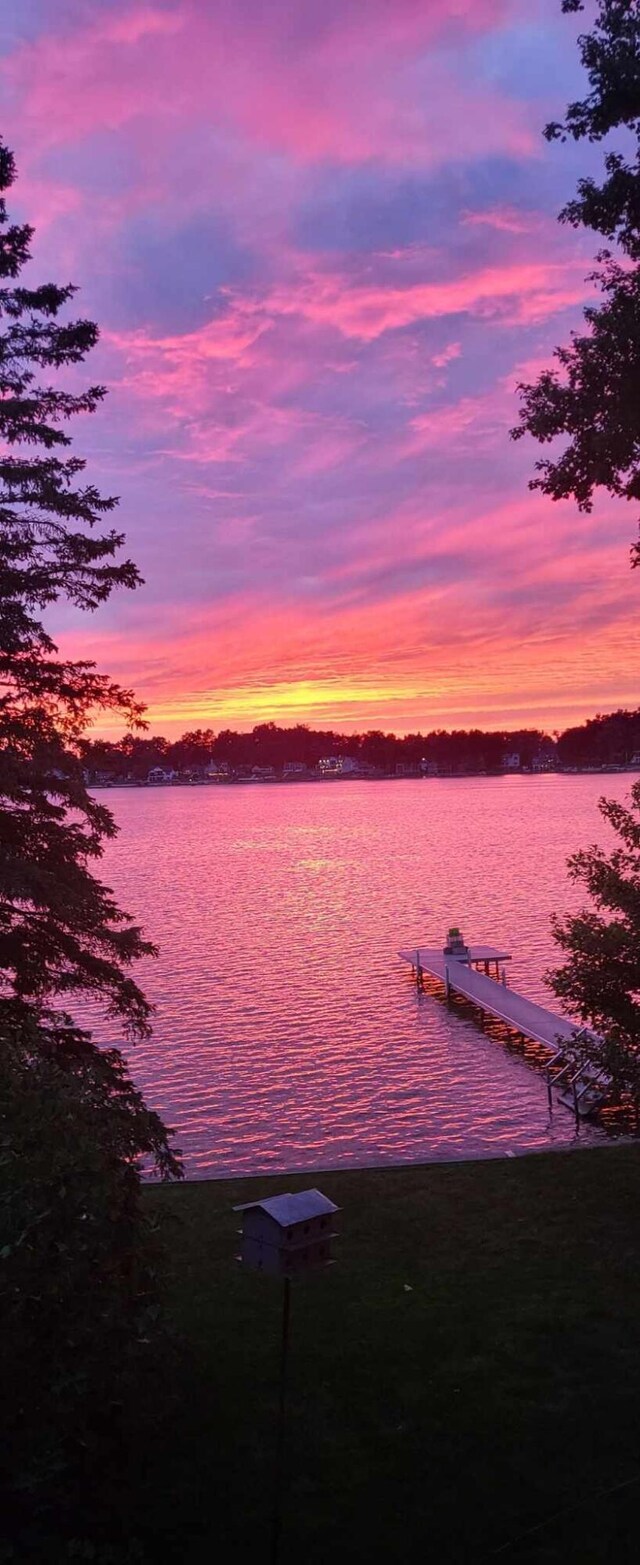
320 239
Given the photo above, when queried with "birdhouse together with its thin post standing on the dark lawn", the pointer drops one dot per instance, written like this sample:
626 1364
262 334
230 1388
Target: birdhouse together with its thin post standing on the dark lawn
287 1236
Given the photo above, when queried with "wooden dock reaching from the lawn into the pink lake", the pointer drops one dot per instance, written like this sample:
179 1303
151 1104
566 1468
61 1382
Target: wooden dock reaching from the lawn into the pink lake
581 1090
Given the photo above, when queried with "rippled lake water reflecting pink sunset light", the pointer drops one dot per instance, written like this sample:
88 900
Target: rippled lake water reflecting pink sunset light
287 1032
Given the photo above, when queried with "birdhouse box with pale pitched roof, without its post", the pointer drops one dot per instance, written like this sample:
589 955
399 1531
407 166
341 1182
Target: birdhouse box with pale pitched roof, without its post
289 1234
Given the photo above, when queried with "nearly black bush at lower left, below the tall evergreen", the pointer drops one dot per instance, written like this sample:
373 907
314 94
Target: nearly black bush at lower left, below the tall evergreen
77 1259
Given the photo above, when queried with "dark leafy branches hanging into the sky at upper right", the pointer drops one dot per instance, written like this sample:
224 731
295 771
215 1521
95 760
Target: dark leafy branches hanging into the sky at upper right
592 401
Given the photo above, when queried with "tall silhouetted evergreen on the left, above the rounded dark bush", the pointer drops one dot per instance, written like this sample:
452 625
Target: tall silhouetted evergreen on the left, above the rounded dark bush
62 932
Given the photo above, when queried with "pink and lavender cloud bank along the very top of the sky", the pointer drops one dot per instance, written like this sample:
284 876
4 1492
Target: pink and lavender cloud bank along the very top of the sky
345 92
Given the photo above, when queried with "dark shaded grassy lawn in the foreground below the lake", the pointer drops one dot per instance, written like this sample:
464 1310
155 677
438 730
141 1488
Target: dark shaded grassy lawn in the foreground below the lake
469 1370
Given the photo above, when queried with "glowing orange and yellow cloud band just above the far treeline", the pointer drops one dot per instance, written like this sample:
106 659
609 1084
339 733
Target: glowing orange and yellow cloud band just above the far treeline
431 663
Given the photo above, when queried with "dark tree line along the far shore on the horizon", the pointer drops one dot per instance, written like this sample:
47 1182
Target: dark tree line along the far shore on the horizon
613 739
